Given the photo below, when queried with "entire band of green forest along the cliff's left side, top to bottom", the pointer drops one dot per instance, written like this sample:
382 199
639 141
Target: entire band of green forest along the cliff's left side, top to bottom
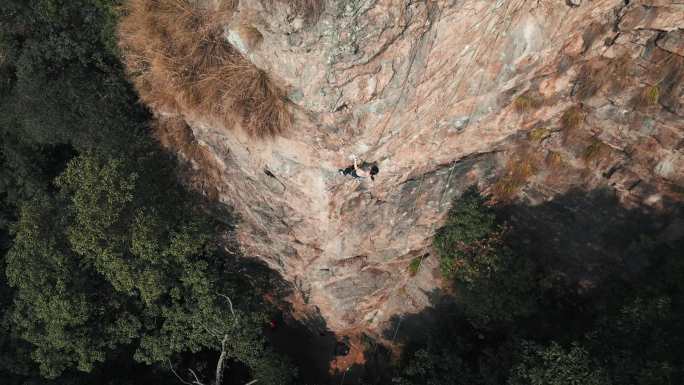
110 259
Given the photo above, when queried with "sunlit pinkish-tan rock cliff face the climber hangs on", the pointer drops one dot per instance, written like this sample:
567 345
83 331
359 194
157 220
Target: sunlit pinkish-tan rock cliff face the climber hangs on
442 95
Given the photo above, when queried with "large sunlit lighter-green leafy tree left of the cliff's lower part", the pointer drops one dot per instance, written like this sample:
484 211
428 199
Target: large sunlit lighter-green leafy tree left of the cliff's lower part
95 268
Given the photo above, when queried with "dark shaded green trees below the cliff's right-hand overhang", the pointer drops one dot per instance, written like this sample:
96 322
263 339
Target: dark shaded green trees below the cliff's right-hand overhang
630 331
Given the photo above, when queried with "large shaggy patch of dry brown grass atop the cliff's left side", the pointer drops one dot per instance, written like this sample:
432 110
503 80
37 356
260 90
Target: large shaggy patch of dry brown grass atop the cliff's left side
179 60
